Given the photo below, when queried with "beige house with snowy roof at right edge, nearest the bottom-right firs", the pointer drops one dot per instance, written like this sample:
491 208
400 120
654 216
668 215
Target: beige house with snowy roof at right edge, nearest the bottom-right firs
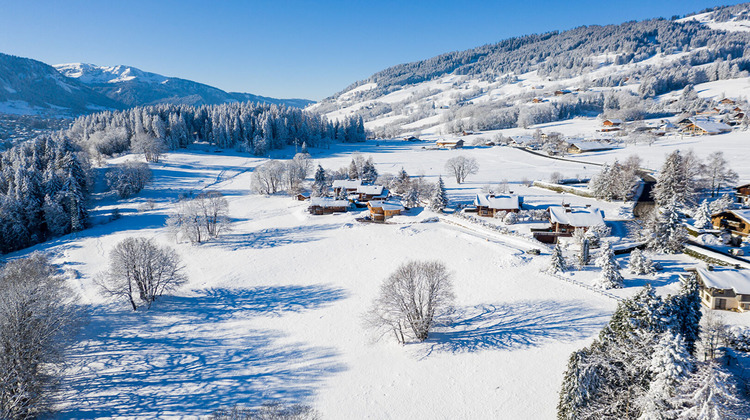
724 288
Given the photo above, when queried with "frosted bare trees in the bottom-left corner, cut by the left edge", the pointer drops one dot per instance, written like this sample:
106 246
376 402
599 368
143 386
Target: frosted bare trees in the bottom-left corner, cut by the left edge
37 319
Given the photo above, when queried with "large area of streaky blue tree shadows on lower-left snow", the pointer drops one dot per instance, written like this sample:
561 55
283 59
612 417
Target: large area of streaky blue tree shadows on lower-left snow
191 355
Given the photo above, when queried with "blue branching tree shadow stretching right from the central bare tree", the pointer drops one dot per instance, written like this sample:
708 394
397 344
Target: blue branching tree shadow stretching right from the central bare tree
517 325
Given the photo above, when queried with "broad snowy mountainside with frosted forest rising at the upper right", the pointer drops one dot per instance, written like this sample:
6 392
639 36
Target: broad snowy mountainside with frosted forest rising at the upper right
630 71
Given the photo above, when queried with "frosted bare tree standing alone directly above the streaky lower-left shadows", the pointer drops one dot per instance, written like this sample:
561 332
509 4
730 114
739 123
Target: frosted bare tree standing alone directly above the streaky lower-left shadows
141 271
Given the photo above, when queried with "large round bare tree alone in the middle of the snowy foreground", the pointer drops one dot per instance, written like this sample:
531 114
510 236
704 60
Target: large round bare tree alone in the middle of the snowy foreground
412 300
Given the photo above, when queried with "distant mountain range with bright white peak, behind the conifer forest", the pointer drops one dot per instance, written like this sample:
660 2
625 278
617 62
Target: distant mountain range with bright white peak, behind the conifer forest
135 87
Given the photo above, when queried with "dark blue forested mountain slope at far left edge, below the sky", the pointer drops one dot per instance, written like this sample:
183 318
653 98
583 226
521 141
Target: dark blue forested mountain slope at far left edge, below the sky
31 87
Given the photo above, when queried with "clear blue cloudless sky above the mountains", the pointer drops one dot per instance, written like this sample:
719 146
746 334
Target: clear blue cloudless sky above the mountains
308 49
